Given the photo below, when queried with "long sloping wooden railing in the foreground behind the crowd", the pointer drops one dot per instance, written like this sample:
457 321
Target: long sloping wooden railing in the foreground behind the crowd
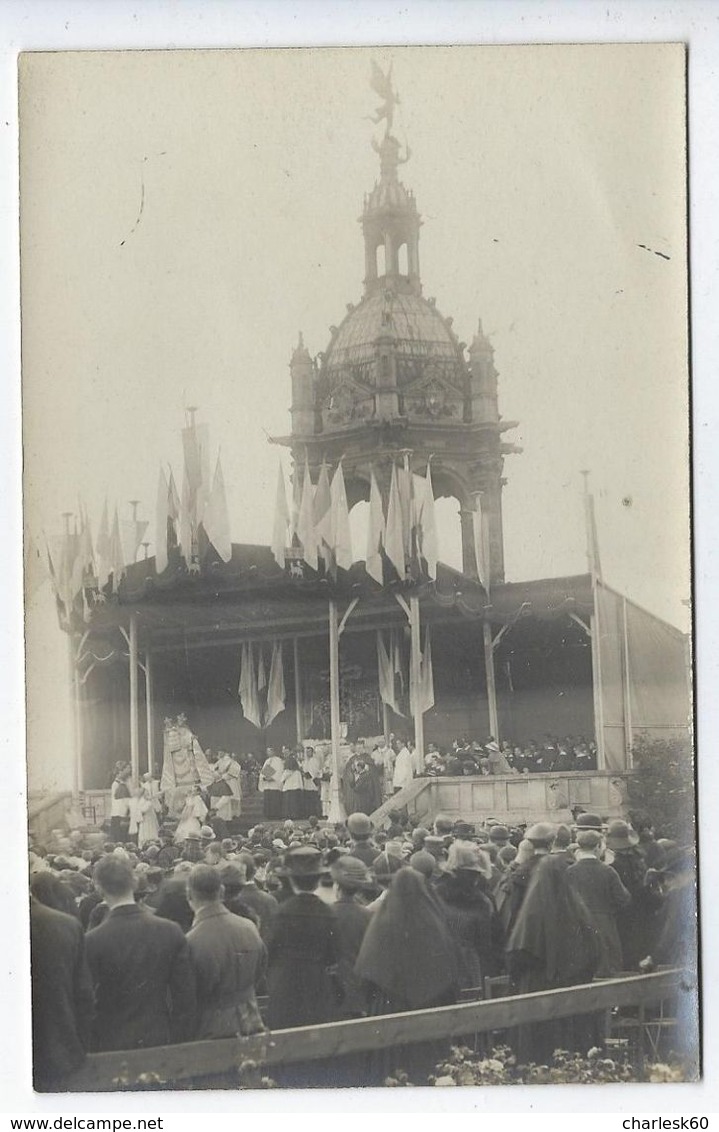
181 1064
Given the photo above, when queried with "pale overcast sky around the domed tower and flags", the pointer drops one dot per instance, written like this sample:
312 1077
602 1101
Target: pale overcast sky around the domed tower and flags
186 215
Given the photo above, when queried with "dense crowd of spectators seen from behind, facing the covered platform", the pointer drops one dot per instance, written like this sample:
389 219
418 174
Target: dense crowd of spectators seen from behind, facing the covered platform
156 941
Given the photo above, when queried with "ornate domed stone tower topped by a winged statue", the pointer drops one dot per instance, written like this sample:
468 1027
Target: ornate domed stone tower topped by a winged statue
396 381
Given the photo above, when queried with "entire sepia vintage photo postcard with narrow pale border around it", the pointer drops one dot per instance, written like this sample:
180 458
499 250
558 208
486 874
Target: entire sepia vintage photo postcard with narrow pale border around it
358 573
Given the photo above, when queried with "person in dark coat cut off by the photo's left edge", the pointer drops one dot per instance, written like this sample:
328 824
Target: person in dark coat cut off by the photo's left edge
63 997
